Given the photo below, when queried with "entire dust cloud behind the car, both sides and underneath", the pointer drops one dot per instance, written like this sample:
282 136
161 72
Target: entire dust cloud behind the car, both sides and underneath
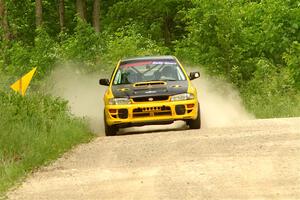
220 103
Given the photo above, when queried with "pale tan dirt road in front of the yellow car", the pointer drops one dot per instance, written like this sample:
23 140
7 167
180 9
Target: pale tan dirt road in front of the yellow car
257 159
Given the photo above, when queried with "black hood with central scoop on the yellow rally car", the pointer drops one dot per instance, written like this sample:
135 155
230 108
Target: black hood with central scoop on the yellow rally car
157 88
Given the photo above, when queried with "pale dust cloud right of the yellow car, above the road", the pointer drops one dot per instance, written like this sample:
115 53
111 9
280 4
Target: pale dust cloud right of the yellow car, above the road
220 103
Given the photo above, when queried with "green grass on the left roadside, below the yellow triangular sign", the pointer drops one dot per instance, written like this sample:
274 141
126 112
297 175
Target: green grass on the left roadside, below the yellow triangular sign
34 130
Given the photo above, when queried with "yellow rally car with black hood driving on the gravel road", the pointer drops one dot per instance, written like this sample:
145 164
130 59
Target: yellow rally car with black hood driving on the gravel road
147 91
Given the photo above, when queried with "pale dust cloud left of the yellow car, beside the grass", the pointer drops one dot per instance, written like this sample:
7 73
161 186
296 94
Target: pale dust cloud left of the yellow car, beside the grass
83 92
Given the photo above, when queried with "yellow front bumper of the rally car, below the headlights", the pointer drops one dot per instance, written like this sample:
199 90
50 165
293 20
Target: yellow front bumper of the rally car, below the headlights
150 113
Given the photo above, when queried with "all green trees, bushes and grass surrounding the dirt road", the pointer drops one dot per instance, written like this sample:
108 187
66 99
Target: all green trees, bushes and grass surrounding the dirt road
255 45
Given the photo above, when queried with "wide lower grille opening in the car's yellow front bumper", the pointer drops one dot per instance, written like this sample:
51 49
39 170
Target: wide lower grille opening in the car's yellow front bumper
152 111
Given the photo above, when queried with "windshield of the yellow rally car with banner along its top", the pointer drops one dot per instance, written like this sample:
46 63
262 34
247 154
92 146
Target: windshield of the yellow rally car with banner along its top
144 71
